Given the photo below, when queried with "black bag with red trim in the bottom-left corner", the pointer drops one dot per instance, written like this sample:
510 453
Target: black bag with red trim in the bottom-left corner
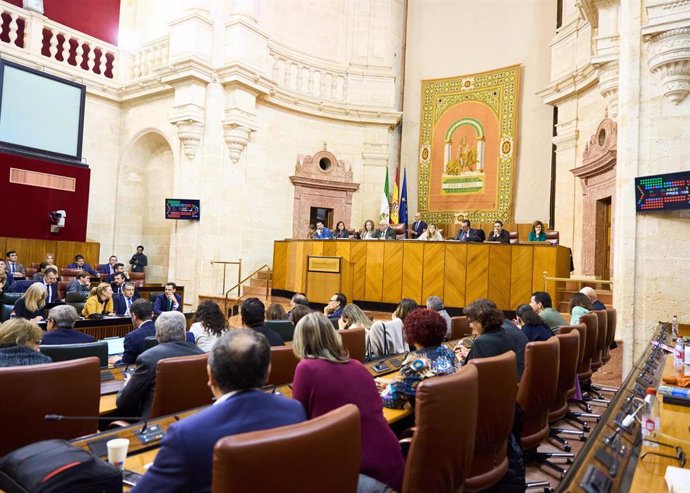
55 466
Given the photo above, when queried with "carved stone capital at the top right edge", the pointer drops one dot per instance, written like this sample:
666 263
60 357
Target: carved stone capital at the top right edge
669 57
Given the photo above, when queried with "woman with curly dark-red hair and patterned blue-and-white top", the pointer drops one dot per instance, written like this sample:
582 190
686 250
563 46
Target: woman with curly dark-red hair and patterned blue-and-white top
424 330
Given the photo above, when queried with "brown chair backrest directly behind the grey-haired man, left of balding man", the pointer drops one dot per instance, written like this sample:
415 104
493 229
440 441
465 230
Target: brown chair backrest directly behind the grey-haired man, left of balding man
181 384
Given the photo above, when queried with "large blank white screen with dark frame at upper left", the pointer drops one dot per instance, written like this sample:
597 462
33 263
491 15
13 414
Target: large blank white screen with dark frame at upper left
40 114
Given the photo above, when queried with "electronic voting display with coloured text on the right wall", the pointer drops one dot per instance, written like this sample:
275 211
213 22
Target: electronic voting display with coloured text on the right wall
670 191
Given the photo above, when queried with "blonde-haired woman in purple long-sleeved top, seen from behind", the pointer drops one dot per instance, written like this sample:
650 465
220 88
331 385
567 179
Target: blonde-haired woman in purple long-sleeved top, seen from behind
326 379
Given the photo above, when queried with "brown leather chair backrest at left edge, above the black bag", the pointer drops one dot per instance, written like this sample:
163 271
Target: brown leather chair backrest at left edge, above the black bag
69 388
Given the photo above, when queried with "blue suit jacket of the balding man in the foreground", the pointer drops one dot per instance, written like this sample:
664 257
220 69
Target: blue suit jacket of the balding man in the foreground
184 461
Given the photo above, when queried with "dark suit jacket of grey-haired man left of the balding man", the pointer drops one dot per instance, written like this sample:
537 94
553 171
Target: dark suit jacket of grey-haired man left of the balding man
136 397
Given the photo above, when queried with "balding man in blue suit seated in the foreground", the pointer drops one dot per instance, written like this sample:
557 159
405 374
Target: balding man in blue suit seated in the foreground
238 368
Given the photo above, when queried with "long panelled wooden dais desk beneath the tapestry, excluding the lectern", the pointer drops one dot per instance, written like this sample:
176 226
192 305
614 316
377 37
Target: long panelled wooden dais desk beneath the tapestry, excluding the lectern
387 271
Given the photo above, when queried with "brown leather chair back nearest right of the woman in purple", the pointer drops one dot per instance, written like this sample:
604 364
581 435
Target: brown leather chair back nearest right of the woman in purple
440 455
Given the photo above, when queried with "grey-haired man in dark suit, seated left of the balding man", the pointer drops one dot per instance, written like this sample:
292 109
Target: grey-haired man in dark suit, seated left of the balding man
136 397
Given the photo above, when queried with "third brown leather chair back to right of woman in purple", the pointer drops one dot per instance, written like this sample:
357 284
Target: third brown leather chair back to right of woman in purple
537 390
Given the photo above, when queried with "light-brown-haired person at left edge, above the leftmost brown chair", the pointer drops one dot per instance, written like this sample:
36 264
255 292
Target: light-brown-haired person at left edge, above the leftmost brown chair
19 343
